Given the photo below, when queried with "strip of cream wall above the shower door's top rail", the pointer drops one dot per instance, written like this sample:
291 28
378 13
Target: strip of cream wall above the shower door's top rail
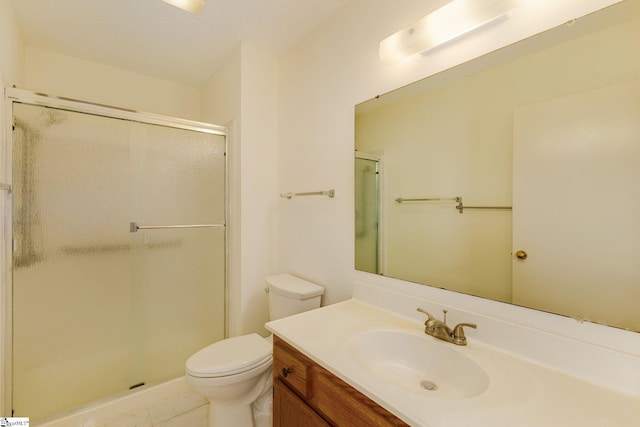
63 75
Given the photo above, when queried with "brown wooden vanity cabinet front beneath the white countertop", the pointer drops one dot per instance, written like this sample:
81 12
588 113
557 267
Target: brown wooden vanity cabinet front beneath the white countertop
305 394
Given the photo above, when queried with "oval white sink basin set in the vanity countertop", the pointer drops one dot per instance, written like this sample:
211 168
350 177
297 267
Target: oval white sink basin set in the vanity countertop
419 364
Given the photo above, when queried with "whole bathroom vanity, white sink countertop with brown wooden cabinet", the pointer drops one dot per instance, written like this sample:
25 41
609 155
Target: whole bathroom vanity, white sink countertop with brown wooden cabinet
355 363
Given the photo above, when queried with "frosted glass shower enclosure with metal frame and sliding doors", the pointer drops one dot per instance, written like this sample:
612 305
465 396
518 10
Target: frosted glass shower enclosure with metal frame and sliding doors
114 254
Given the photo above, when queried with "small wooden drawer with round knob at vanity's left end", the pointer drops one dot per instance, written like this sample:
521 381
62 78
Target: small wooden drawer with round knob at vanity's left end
291 367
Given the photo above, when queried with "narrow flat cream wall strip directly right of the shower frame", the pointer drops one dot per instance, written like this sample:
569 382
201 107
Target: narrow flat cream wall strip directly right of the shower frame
259 184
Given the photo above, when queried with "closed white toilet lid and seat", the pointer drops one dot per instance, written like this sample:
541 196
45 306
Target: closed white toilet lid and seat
229 357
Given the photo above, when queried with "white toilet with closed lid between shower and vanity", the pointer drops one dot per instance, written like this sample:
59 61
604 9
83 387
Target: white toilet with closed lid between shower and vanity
234 372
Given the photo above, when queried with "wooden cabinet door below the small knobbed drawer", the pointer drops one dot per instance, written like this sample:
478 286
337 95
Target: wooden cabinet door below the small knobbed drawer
291 411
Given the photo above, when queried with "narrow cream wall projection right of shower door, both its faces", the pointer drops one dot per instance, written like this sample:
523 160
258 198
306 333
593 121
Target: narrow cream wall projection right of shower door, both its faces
242 94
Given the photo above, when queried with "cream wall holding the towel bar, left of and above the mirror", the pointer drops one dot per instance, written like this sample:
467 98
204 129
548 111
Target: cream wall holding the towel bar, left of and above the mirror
321 79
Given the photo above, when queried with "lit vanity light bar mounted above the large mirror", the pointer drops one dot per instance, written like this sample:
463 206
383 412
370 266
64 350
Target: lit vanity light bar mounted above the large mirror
451 21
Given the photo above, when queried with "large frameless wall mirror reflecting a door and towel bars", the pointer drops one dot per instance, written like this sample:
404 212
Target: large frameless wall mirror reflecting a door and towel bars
515 176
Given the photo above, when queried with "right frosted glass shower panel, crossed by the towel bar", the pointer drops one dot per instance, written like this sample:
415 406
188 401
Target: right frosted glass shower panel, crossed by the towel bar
179 178
